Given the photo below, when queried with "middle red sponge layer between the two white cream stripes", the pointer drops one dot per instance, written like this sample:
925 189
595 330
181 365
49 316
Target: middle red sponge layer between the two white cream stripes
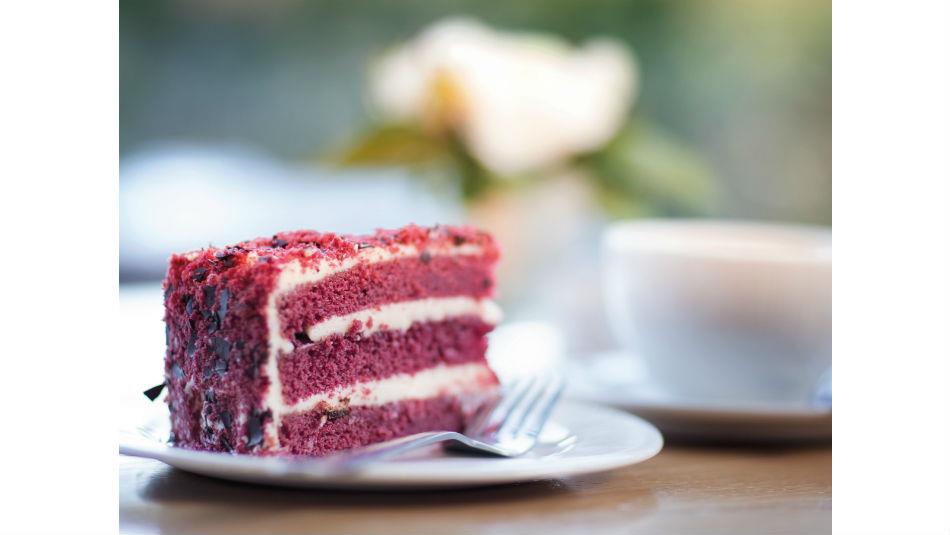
340 360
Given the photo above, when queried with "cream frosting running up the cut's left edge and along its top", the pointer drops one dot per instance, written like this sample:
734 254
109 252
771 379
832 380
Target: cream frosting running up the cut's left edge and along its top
294 275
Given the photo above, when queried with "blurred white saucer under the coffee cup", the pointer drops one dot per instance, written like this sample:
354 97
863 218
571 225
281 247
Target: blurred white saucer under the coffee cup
617 379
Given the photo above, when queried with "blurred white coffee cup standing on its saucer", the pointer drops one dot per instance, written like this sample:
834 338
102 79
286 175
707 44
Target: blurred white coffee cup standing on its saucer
722 310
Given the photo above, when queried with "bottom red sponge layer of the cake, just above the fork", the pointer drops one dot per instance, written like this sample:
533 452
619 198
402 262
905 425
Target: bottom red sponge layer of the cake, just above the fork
319 432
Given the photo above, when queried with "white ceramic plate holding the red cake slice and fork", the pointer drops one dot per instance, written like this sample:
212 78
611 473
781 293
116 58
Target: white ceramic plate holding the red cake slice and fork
580 439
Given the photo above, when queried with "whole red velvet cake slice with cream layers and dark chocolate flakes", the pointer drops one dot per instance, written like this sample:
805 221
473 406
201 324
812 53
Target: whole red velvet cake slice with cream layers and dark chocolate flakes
309 343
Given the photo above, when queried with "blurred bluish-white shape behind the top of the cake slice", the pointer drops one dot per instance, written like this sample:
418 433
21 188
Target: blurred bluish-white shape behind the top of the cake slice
179 197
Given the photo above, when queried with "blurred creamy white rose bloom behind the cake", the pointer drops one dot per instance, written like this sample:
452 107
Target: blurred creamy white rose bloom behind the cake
520 102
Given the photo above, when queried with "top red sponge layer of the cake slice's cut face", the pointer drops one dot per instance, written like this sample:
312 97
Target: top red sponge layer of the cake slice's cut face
422 275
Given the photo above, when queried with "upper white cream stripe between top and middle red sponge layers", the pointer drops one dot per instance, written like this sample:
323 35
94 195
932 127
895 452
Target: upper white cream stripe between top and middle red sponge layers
401 316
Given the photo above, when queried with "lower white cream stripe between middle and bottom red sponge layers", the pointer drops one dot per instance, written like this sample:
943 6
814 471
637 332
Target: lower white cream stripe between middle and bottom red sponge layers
428 383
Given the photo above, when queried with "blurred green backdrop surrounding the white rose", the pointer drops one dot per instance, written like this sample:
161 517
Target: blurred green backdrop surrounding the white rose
738 89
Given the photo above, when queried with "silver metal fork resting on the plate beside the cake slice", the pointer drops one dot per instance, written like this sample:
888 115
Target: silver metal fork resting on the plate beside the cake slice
510 428
